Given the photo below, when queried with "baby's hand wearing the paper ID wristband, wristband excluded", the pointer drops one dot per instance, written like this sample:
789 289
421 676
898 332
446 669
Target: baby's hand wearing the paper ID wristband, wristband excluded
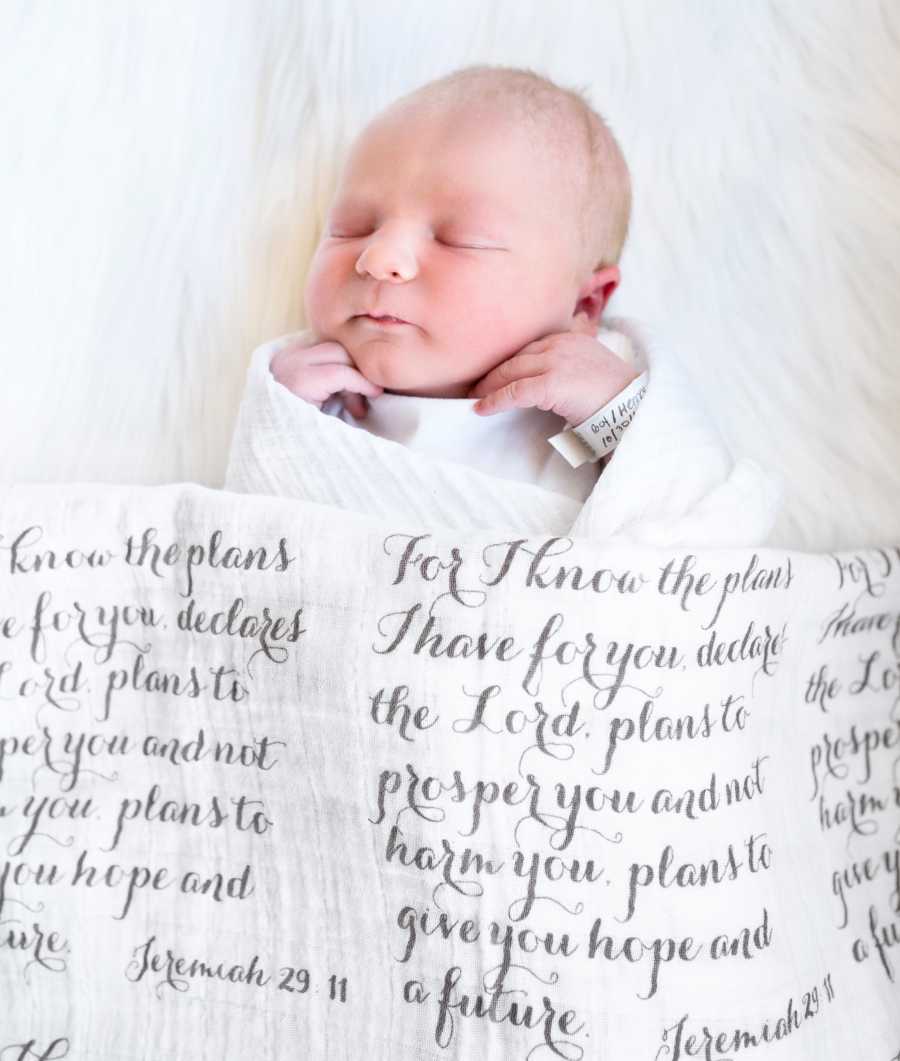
569 374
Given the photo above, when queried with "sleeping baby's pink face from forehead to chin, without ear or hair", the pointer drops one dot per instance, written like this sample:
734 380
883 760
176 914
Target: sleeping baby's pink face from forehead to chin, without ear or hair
456 225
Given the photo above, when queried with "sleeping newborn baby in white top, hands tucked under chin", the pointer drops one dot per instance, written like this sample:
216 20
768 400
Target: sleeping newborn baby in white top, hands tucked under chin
455 299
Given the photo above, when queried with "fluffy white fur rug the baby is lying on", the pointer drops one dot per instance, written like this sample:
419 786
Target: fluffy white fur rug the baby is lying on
165 168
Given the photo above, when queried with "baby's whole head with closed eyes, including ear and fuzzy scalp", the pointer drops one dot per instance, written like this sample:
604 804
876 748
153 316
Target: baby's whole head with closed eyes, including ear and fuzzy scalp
487 210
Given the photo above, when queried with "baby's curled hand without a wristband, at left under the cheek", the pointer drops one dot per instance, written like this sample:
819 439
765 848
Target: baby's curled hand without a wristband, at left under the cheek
315 371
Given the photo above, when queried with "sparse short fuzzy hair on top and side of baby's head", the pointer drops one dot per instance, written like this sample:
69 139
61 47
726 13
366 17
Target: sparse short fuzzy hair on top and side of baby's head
561 118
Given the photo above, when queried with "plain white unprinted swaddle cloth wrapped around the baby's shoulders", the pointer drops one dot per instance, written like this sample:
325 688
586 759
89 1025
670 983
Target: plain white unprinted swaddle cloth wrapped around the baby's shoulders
670 482
